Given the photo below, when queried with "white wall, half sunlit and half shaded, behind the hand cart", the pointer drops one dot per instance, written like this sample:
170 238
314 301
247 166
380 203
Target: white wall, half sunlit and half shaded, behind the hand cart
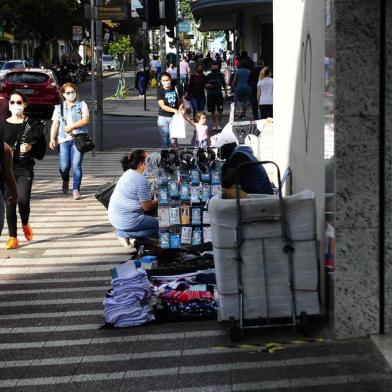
299 94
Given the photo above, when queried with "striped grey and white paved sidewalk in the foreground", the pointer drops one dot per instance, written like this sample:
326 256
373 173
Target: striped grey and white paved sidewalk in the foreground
51 293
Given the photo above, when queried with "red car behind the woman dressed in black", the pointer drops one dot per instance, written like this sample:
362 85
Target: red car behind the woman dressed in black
39 85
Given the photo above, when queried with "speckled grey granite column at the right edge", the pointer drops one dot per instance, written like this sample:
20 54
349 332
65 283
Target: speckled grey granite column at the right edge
356 152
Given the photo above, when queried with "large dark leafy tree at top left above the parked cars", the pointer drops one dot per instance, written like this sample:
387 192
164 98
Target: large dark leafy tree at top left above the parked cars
46 20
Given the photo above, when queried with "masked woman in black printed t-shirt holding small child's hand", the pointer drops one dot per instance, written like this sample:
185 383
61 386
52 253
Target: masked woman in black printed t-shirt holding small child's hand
169 104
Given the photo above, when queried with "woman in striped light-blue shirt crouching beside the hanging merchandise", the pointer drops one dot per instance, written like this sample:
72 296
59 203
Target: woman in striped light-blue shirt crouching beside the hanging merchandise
131 202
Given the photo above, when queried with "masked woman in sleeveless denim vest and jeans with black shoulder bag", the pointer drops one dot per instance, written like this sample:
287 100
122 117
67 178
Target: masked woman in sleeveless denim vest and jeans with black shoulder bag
69 118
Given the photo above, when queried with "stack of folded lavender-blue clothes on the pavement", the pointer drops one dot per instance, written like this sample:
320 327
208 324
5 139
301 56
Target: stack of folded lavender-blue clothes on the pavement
128 302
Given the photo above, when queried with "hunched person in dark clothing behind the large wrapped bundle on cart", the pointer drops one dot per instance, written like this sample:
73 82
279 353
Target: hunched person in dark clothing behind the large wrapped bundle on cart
253 179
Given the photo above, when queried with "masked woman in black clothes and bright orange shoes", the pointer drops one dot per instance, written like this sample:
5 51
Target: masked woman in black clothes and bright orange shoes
28 142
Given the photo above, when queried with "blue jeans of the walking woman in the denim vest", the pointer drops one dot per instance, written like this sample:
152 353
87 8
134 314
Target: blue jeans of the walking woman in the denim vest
70 157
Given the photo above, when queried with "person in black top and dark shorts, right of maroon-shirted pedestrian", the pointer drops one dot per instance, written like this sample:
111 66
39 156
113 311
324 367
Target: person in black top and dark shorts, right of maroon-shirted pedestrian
214 85
